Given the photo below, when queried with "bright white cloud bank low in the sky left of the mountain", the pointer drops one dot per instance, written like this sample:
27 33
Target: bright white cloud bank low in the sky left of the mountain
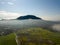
9 15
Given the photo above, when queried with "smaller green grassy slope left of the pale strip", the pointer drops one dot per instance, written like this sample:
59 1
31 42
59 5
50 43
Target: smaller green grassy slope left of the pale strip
8 40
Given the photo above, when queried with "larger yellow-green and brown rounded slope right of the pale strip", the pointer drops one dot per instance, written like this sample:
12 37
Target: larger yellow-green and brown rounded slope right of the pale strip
37 36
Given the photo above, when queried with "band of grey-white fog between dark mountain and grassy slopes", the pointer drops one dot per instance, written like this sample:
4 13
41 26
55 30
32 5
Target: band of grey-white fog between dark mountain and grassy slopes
30 23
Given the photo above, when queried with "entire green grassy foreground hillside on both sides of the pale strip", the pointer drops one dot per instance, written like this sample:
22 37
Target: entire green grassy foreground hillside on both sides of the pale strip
35 34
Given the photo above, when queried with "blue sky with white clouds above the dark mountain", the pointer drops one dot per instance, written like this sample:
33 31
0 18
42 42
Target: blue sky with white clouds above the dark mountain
45 9
